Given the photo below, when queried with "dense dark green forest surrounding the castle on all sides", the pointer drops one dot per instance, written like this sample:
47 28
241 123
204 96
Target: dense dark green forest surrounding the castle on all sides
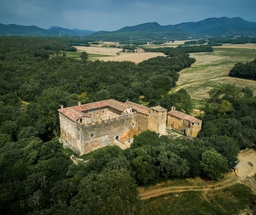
37 174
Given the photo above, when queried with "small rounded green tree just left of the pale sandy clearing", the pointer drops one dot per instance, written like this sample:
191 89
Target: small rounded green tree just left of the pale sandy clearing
214 164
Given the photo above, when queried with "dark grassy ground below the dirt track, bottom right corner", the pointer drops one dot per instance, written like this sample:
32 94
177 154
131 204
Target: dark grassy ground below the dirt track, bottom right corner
228 201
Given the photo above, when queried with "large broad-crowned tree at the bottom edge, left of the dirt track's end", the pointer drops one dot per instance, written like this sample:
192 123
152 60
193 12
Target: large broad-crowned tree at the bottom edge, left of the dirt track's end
110 192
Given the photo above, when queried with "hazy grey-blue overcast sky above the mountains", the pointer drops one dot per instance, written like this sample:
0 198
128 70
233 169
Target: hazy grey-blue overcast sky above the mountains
112 15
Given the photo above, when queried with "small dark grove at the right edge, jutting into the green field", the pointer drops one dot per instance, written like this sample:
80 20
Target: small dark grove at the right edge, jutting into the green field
244 70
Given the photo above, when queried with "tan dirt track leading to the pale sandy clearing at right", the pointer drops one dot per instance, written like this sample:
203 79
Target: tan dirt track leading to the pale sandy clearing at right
246 169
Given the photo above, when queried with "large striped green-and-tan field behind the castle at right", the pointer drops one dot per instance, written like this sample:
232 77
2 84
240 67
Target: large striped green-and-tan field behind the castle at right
211 69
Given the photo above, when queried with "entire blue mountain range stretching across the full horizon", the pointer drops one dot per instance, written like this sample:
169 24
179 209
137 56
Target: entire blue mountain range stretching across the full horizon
148 31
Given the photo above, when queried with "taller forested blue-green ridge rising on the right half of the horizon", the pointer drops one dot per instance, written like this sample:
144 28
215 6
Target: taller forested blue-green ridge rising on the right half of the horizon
153 31
